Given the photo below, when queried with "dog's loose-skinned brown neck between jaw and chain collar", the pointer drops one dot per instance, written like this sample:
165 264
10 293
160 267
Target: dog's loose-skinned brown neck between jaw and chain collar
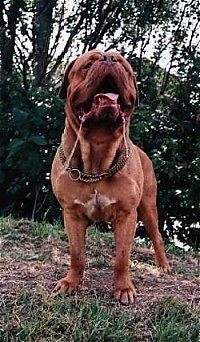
97 148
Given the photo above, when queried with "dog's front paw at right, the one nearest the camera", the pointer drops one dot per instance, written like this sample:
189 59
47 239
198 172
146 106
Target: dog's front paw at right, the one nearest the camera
126 293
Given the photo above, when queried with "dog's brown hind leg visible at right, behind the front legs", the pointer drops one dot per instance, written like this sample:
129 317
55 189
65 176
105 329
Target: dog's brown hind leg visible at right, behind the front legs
147 213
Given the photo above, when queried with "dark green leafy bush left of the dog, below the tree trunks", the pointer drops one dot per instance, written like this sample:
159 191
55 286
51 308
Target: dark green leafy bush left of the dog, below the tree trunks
29 138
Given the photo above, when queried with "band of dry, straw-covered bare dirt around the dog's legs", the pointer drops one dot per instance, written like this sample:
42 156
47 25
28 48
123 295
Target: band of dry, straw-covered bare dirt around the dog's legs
36 275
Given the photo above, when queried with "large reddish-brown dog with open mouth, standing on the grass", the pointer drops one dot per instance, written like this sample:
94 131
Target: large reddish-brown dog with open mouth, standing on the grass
97 173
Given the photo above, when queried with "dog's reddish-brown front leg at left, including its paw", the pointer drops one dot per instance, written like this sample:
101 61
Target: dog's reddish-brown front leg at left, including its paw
76 230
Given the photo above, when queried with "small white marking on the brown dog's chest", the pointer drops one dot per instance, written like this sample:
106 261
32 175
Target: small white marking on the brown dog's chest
96 201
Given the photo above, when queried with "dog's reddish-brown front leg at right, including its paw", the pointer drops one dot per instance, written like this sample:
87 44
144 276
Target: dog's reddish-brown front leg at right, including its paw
124 230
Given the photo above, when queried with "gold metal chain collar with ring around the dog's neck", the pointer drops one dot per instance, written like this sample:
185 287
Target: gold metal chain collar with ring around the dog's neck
75 174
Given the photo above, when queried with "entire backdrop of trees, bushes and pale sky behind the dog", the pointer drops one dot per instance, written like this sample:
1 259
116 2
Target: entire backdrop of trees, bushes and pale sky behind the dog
161 41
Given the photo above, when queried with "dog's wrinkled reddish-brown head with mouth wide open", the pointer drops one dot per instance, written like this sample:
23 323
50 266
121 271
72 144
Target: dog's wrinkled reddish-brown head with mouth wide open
100 87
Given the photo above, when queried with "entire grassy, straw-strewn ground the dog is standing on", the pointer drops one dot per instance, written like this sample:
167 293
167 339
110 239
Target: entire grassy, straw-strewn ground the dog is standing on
35 255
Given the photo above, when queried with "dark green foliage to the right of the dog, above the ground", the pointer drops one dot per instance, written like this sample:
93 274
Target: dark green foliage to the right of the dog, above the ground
167 129
